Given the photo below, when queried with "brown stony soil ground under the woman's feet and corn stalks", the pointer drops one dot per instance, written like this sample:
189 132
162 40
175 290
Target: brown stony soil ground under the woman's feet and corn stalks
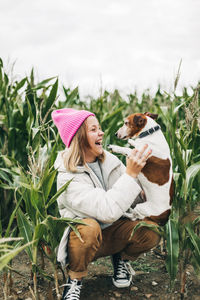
150 282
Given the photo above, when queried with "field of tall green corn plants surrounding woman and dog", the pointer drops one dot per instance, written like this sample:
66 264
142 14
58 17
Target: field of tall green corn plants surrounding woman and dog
29 143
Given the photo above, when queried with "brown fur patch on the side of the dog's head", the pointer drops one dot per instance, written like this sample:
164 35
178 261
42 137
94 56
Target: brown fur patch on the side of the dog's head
135 123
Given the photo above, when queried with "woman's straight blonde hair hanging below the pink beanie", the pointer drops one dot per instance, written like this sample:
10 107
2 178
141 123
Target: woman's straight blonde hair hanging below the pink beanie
75 155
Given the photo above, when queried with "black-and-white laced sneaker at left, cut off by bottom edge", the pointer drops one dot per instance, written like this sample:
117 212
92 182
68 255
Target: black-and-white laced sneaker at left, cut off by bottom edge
72 289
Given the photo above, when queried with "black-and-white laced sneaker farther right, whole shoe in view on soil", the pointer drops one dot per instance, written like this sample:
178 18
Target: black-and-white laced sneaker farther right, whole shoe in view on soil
123 272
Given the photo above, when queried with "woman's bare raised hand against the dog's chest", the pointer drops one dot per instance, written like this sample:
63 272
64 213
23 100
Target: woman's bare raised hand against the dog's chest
136 161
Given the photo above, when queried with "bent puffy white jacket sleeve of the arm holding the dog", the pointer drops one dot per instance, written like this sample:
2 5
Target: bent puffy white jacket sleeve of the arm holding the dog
106 206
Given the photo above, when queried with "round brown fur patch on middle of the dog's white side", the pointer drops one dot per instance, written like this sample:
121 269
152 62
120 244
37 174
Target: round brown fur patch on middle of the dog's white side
157 170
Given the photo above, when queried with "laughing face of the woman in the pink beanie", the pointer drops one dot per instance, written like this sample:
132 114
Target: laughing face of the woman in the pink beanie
95 137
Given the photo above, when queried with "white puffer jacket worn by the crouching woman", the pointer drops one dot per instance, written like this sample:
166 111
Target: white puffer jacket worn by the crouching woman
85 196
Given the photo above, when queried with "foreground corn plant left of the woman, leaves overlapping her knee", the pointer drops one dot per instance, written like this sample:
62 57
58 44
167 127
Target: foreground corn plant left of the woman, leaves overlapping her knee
35 199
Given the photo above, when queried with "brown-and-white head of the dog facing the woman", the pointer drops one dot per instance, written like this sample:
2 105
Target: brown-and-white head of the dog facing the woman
133 125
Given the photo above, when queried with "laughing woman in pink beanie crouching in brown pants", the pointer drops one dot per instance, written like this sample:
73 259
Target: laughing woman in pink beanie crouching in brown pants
101 191
